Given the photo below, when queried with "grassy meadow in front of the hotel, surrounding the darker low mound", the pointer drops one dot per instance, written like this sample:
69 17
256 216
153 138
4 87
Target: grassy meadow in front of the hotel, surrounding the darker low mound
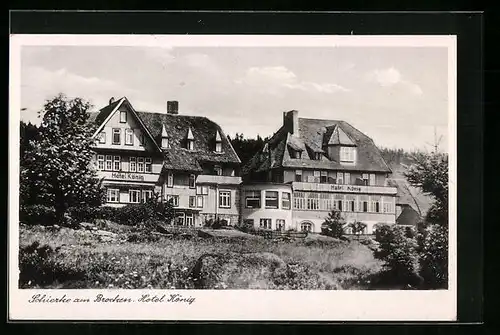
81 261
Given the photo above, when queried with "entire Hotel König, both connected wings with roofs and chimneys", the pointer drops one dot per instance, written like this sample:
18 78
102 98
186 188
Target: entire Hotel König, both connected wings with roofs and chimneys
308 168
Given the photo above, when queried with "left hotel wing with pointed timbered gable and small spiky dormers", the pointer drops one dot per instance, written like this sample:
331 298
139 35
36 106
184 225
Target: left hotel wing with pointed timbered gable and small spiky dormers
185 159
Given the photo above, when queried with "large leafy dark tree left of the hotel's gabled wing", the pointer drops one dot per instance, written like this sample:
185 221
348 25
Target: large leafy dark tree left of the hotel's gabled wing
58 163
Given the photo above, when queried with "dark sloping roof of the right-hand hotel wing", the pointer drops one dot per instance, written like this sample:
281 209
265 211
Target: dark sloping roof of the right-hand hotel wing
315 134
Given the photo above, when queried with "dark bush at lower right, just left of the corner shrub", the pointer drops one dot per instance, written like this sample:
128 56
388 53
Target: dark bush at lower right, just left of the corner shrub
399 253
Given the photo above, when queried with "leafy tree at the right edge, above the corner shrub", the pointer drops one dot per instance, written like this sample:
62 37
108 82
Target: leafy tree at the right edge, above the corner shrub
429 172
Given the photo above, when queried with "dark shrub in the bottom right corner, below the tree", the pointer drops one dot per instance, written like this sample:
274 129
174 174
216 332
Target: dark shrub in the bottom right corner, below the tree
434 256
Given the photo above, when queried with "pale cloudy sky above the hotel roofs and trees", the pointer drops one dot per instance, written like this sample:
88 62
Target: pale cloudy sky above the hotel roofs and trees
396 95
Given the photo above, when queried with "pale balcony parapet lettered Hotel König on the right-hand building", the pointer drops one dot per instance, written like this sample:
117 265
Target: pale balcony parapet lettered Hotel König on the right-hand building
335 188
